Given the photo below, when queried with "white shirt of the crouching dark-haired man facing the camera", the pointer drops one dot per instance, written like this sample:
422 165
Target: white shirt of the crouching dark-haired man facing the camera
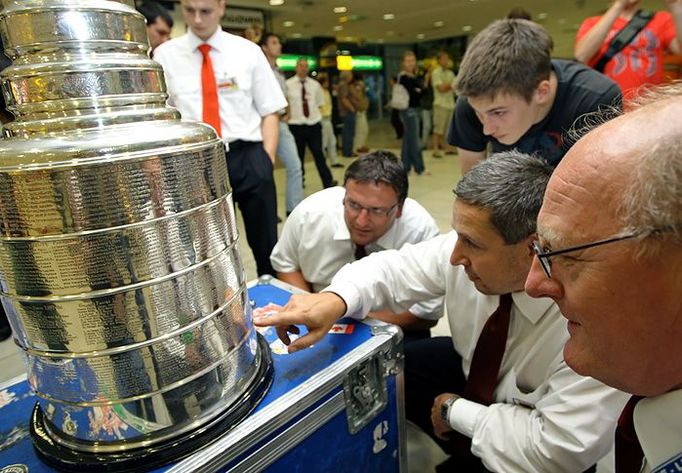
315 240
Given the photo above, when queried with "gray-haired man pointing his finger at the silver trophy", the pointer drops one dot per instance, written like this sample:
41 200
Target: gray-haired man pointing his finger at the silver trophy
498 395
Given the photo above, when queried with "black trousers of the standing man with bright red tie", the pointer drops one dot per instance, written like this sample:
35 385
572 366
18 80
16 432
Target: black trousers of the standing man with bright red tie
253 190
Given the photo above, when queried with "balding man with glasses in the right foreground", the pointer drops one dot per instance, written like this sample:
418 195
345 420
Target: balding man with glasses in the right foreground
609 252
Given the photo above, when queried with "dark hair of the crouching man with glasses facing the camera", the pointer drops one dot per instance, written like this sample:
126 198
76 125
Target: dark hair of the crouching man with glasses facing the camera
380 166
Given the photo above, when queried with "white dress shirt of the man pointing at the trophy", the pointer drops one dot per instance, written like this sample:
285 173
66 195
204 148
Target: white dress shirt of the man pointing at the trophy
546 418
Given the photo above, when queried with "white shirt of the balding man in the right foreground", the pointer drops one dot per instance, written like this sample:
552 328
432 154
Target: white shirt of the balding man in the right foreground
658 423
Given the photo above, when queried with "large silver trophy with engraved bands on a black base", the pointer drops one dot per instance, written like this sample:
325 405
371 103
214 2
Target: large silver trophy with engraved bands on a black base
119 262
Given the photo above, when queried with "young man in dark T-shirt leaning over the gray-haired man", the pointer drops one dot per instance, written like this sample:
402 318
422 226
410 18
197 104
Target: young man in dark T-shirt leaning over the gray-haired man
514 96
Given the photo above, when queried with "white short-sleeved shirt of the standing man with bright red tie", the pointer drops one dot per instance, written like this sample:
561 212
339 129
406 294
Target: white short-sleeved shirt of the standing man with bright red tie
247 89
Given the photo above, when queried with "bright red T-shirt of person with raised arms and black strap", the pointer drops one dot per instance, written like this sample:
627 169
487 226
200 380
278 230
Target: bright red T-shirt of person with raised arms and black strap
641 61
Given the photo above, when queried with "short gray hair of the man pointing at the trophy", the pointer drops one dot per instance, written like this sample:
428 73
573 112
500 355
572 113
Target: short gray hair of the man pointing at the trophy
510 185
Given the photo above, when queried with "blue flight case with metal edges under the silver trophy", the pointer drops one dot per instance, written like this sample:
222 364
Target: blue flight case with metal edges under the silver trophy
335 407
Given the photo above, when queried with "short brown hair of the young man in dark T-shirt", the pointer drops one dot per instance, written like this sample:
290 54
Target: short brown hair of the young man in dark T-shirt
509 56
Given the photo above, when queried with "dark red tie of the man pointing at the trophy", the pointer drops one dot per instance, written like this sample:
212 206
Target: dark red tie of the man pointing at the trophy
485 364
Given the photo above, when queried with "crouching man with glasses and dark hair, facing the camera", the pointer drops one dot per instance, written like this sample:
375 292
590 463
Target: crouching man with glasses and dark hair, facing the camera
338 225
